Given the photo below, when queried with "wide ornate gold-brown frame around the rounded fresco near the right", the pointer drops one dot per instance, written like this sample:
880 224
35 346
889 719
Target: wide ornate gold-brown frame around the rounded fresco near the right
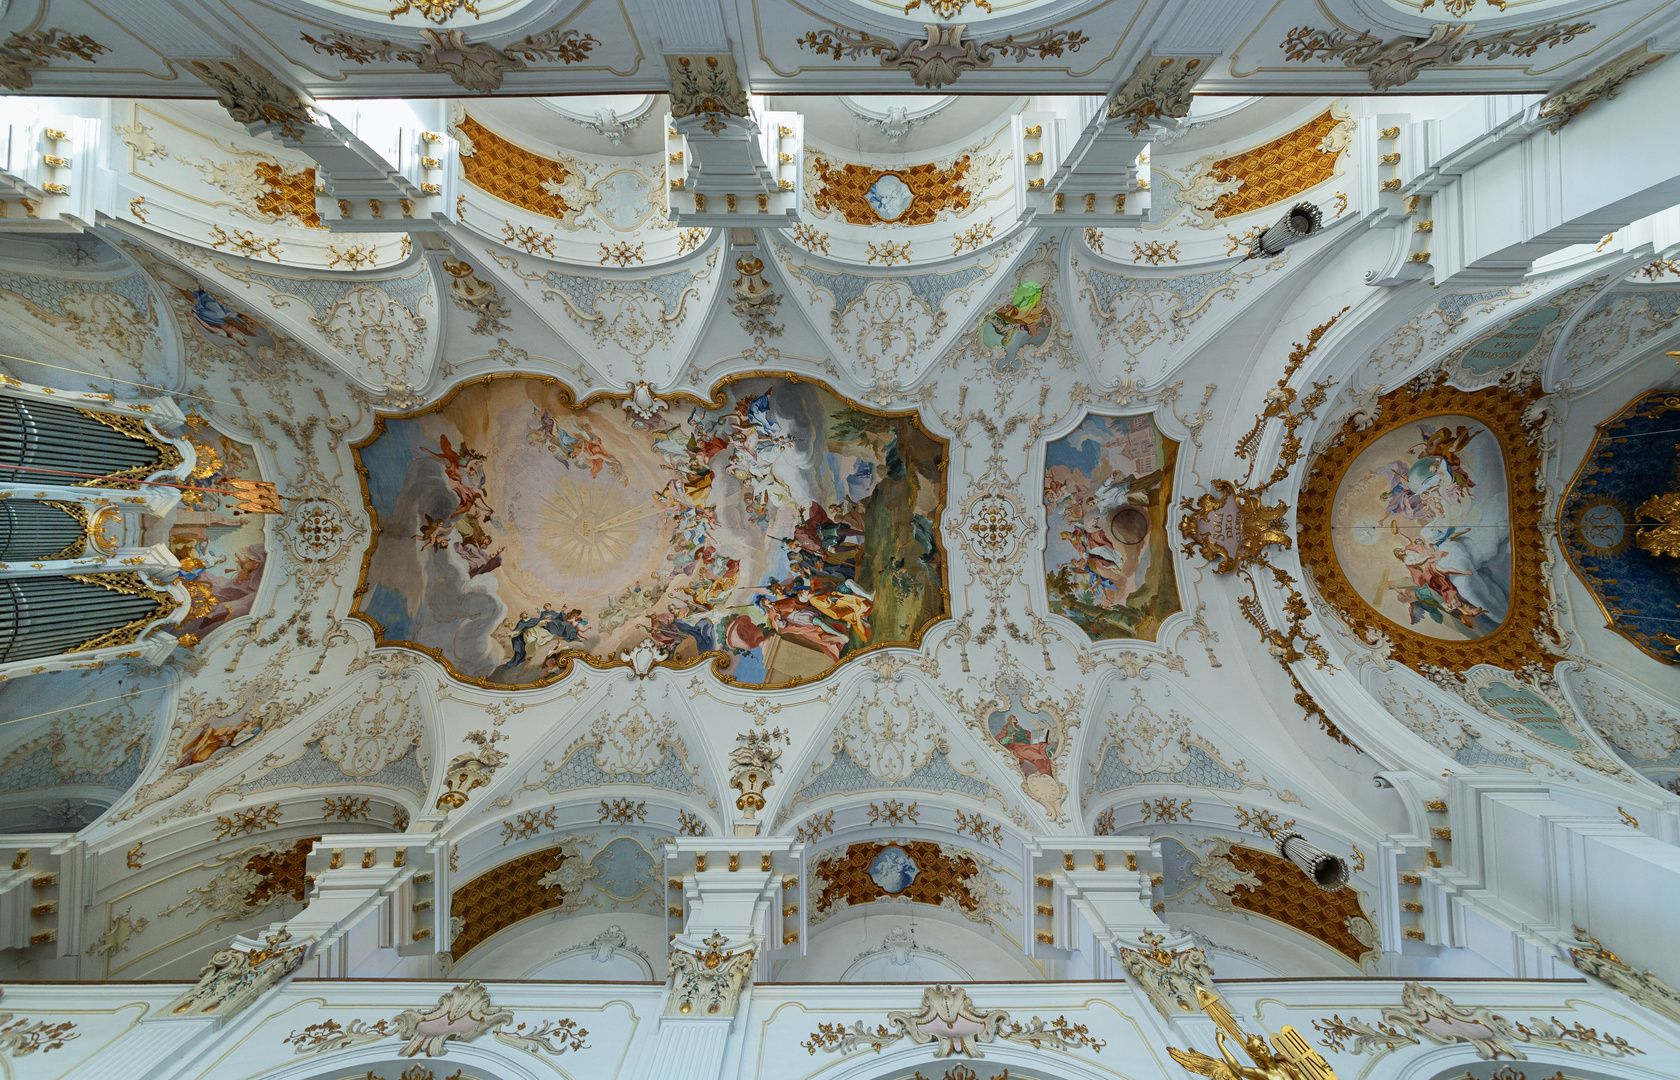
1516 644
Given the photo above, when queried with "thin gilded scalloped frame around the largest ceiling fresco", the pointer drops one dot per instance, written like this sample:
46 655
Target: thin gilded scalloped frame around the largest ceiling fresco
717 658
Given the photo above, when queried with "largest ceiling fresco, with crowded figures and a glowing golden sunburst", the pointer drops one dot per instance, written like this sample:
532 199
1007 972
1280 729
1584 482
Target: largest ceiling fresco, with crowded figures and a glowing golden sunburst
777 530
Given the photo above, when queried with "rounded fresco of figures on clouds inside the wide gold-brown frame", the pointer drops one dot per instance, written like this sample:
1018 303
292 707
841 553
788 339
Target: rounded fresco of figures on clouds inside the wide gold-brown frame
1420 527
